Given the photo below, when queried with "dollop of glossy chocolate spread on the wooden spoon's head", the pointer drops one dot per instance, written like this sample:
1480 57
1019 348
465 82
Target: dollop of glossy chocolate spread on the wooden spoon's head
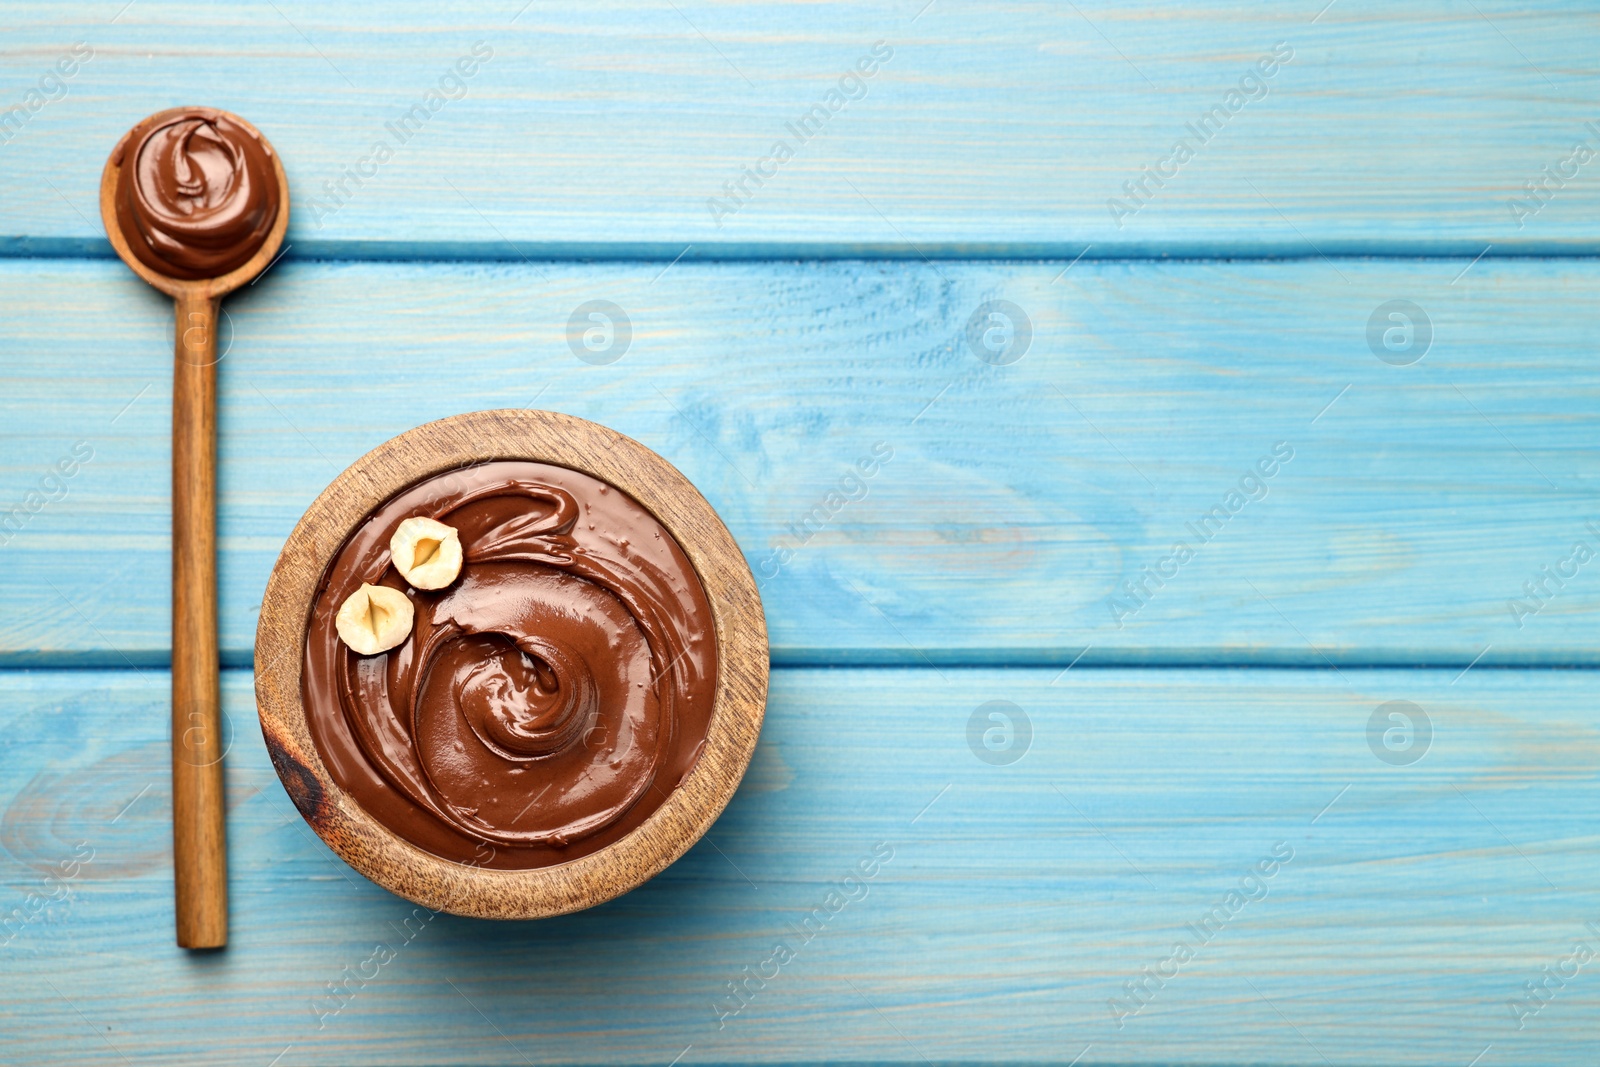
196 193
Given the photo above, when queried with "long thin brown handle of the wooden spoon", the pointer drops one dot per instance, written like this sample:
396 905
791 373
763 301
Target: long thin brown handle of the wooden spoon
199 828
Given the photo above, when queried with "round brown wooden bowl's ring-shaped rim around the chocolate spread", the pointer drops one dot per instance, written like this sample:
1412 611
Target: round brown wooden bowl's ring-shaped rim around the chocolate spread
447 446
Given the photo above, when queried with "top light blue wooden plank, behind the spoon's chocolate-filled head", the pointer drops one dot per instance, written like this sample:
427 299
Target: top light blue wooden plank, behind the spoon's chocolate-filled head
609 129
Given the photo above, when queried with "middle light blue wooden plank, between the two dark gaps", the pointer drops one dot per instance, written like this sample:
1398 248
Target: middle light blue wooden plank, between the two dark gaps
1017 503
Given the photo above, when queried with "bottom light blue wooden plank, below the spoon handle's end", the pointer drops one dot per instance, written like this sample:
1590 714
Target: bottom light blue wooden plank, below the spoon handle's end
1018 900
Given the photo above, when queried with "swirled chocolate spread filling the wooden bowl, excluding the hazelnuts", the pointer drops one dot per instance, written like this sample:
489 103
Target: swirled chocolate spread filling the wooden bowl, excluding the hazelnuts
546 701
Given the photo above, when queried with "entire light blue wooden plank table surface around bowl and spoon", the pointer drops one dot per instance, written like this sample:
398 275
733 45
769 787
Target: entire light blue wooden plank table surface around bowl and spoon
1202 834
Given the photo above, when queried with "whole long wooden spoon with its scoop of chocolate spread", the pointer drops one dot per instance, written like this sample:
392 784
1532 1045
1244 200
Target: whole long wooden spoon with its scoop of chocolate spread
191 217
